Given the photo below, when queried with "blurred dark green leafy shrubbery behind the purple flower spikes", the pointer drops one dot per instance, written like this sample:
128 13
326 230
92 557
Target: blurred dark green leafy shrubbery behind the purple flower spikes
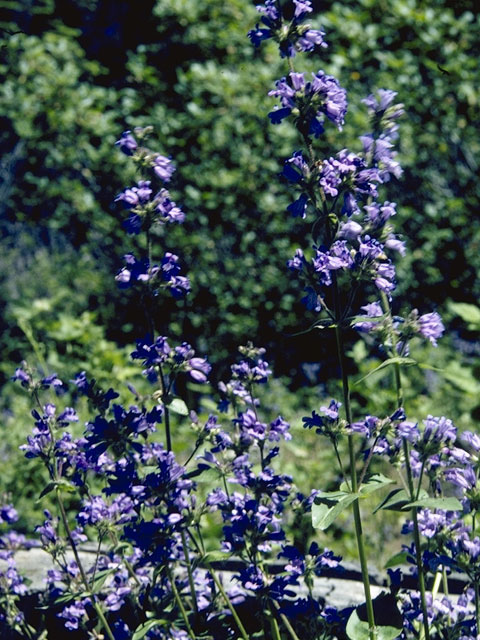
74 74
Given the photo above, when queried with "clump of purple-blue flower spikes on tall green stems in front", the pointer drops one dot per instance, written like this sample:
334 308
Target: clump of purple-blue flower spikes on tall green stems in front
156 572
